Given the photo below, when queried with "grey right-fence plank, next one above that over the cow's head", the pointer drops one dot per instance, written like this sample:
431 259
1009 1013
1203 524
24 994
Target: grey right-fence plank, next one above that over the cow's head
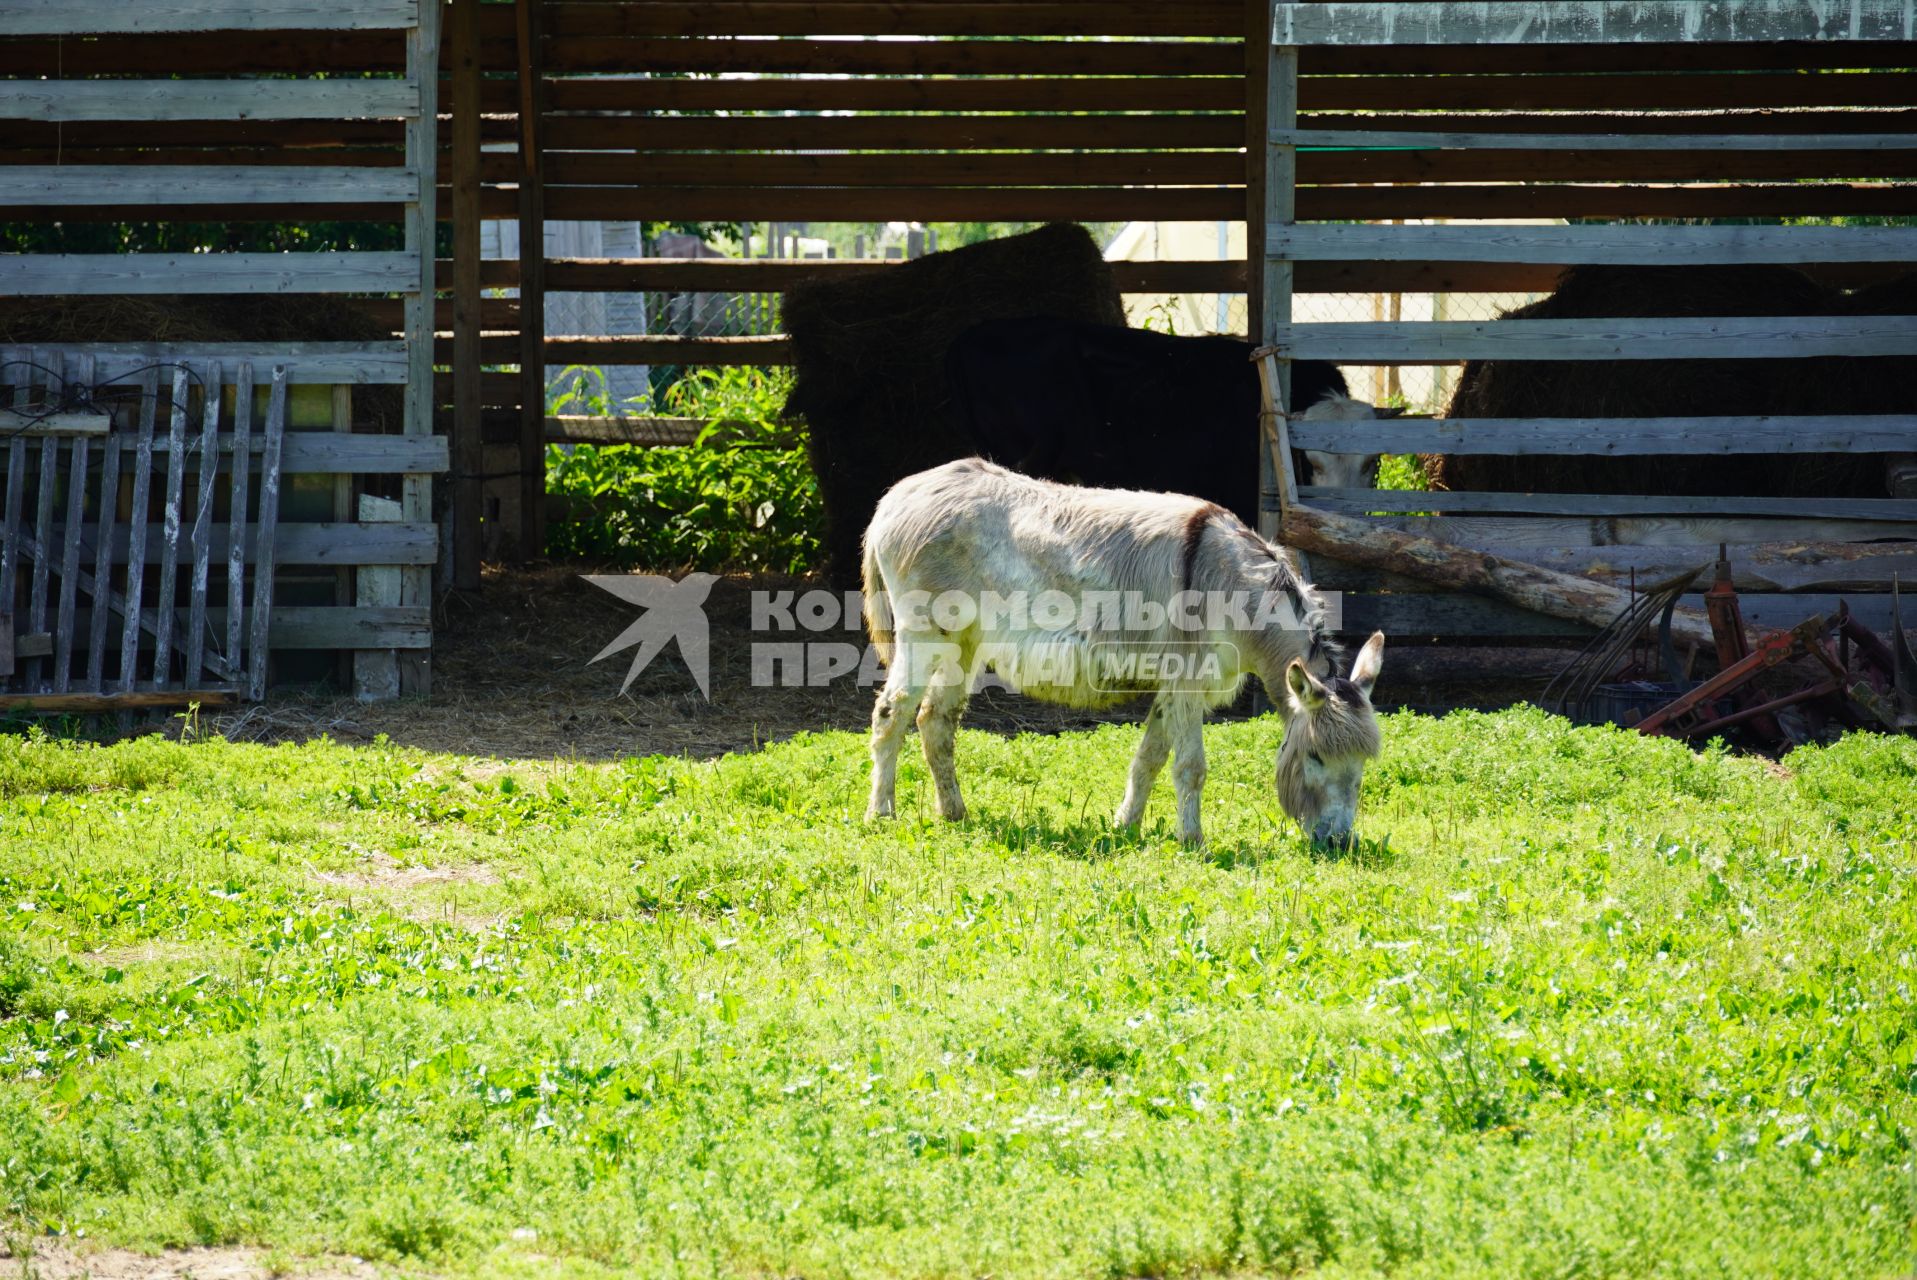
1613 246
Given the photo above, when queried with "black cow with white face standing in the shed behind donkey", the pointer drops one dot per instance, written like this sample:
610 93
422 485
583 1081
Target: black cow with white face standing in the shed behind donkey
1126 409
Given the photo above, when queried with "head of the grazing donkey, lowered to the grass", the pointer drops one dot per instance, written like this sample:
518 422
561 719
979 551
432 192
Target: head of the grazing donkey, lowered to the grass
1329 735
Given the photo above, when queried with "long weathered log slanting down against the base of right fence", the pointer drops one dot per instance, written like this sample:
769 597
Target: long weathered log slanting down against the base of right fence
1462 568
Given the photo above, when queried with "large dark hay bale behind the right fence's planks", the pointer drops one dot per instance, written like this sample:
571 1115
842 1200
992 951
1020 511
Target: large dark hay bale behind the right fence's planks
1684 388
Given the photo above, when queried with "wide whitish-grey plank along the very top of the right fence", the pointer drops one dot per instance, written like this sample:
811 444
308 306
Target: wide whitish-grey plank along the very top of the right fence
1592 22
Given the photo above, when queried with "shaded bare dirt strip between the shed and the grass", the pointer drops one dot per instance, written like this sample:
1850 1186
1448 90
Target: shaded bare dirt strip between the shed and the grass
513 679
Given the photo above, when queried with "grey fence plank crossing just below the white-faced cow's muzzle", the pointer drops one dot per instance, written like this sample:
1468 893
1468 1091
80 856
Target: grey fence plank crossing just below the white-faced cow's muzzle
1613 436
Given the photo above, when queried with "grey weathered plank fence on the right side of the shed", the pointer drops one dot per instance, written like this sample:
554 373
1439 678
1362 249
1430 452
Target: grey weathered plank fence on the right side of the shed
1552 150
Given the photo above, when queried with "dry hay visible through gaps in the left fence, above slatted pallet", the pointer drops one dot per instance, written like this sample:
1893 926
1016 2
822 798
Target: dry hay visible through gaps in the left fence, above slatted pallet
221 319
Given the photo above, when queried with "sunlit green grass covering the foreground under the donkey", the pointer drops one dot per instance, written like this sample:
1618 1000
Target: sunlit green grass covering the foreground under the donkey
1584 1005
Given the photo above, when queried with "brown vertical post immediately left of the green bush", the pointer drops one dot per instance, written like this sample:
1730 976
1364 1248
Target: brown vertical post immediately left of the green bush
532 285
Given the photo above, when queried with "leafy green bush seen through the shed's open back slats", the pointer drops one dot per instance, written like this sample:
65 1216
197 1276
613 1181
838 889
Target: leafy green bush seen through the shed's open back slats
741 499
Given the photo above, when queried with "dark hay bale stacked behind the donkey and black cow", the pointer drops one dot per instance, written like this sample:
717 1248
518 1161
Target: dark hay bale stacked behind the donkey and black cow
869 355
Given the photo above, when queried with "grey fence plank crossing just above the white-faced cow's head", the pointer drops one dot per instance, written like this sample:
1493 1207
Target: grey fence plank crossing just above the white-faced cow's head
1448 342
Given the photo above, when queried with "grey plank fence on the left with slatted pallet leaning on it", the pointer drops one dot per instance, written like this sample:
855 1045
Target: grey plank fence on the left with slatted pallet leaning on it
296 549
